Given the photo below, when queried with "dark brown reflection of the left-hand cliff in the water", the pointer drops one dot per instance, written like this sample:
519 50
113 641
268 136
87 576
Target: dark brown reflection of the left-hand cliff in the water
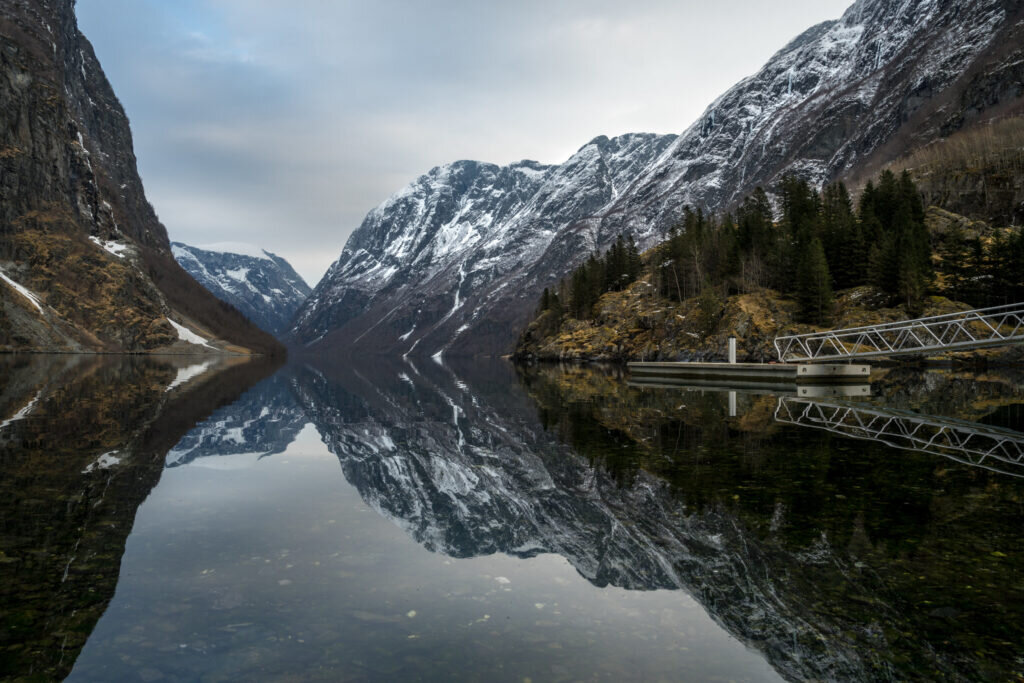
82 442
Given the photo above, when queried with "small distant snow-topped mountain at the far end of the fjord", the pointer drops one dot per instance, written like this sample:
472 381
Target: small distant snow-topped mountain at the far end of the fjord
262 285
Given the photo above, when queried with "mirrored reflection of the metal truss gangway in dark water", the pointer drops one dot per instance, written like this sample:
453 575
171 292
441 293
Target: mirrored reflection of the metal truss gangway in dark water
968 443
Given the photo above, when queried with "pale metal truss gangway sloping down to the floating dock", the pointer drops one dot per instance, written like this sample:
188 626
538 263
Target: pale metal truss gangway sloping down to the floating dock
962 331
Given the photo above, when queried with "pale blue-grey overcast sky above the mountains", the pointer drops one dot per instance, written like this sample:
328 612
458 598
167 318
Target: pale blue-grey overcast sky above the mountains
282 123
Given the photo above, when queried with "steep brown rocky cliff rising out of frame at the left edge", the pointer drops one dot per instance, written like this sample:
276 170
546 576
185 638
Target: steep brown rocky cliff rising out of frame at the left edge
87 265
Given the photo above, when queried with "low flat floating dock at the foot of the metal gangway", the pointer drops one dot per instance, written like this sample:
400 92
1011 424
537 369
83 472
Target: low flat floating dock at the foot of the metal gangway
751 374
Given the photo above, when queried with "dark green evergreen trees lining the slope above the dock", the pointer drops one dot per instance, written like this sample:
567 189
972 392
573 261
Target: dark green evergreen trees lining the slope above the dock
819 244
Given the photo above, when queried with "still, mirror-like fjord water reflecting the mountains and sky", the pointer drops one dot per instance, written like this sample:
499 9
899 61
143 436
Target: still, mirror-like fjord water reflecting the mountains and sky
413 521
